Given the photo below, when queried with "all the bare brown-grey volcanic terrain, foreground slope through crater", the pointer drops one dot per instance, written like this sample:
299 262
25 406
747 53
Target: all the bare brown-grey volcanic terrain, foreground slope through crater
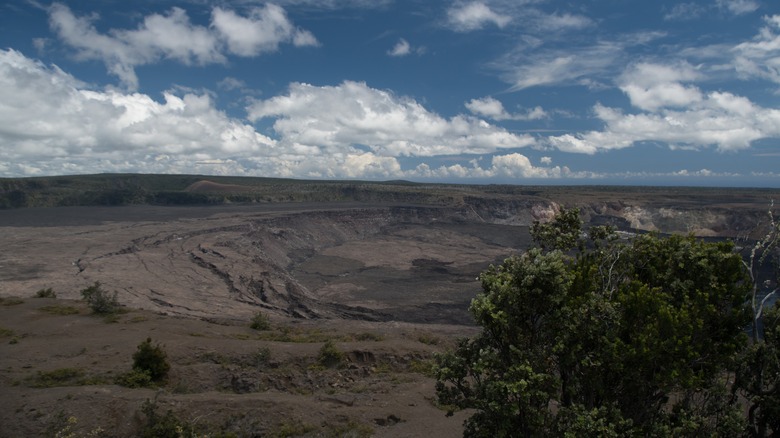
388 281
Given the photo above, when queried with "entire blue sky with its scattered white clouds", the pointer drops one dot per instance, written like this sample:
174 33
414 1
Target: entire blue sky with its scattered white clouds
629 92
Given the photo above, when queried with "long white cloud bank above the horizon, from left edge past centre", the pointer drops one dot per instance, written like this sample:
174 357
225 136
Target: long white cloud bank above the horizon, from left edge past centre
52 123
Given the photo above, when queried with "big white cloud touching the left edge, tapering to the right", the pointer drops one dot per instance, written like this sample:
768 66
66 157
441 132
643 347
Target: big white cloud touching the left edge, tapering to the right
48 116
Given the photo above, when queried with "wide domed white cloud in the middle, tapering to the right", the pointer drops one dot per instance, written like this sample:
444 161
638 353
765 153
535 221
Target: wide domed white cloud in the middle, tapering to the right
353 114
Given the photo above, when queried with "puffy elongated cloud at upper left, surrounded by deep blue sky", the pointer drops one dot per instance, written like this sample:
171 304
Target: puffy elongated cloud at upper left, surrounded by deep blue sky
173 36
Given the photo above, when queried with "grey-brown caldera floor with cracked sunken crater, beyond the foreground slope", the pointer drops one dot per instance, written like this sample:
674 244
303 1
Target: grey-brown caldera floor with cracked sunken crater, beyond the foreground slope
413 264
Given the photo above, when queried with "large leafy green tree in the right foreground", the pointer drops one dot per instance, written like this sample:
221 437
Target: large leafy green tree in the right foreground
619 338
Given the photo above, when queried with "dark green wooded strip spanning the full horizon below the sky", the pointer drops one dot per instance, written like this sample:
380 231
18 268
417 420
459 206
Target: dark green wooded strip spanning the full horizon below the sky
152 189
